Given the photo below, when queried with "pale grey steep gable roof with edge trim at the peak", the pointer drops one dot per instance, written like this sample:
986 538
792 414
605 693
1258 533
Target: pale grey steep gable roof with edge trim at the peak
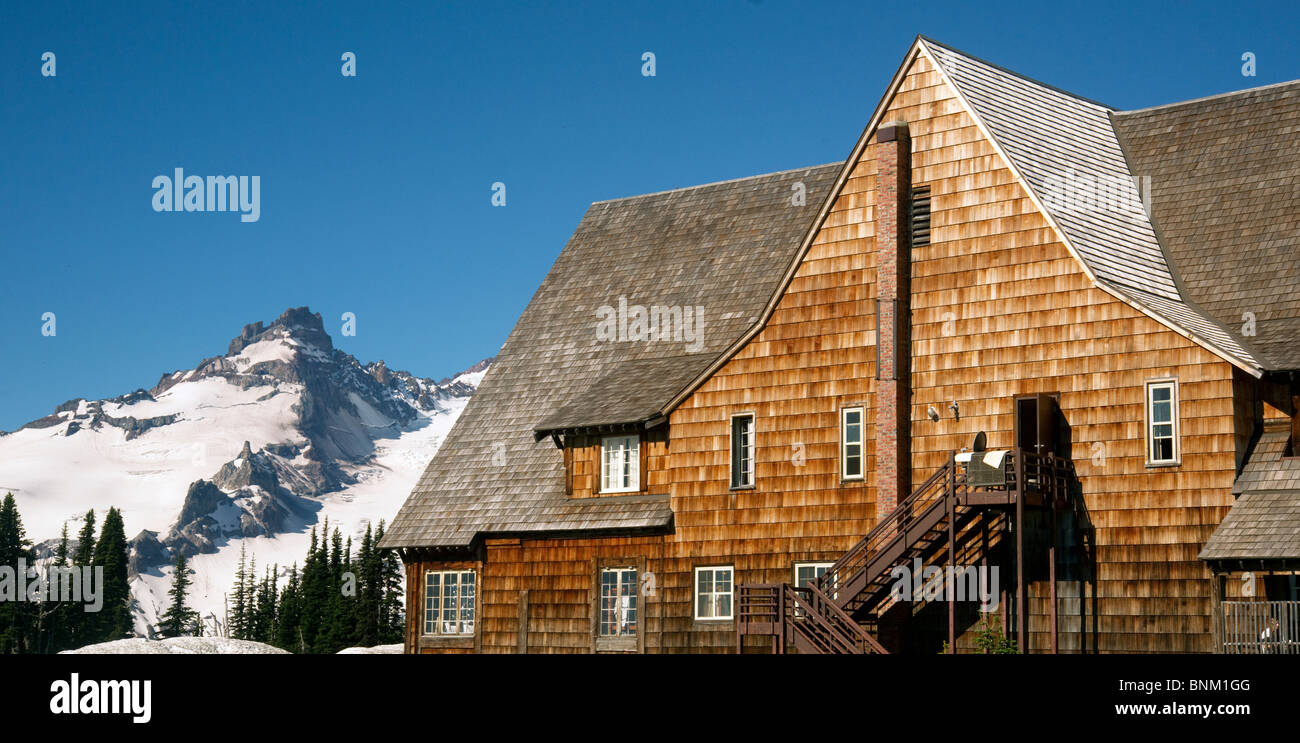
1045 136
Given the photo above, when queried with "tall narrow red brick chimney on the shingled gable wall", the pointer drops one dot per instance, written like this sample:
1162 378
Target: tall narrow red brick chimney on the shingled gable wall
894 316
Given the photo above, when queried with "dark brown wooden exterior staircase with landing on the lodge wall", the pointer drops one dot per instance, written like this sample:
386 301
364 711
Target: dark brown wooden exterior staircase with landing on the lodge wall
834 615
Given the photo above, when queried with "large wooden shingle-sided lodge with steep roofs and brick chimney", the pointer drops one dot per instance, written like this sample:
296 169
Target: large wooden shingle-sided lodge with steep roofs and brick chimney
734 412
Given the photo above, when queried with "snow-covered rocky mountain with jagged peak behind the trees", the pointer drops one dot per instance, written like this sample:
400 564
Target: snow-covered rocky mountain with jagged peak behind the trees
250 449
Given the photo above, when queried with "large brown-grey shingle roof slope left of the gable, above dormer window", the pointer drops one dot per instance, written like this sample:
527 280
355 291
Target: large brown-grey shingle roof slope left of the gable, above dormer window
721 247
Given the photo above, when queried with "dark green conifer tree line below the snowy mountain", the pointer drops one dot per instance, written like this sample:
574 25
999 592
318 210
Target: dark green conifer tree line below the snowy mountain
339 599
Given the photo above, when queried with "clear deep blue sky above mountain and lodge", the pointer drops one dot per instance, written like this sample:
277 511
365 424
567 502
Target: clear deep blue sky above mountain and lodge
376 189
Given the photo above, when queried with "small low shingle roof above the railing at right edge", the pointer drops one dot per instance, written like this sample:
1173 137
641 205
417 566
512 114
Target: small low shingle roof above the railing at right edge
1264 524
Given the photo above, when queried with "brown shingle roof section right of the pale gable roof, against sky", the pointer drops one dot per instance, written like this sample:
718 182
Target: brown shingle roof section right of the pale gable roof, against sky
1224 175
